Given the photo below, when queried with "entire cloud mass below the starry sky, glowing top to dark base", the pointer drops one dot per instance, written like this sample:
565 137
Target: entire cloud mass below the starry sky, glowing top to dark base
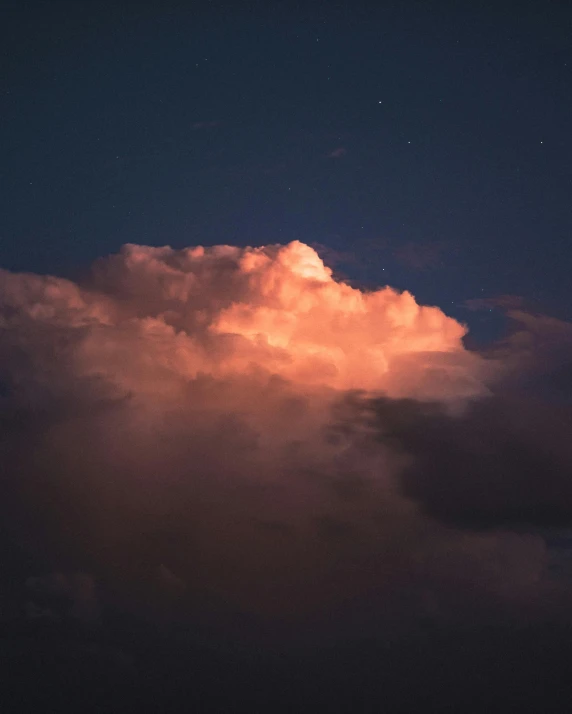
224 454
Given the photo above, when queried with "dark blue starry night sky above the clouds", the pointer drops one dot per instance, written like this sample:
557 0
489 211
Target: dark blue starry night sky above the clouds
429 144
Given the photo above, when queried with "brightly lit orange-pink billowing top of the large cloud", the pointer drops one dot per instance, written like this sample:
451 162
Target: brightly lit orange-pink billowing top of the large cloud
154 315
